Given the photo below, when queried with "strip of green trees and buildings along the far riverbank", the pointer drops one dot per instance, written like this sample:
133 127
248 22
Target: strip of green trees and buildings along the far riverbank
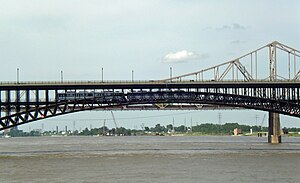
202 129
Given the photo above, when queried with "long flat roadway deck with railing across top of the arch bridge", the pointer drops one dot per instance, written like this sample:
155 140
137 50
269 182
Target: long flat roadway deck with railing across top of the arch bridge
151 84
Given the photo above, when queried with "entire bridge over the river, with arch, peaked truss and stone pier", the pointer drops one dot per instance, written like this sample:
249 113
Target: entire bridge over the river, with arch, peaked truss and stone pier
265 79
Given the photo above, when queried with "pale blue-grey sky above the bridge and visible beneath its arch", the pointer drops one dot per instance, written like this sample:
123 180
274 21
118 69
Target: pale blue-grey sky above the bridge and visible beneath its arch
79 37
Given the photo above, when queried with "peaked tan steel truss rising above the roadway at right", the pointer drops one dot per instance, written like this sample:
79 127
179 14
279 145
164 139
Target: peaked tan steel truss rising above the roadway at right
272 62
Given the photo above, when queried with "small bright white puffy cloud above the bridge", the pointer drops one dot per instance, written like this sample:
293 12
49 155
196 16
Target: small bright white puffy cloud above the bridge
182 56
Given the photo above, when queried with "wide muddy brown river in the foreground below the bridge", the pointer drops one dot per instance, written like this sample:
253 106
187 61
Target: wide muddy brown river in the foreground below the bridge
149 159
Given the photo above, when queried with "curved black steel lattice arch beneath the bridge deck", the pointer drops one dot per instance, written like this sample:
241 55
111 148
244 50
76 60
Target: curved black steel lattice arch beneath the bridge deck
51 109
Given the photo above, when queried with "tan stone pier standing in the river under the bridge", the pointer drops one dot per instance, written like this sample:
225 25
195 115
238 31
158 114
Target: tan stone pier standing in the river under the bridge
274 135
